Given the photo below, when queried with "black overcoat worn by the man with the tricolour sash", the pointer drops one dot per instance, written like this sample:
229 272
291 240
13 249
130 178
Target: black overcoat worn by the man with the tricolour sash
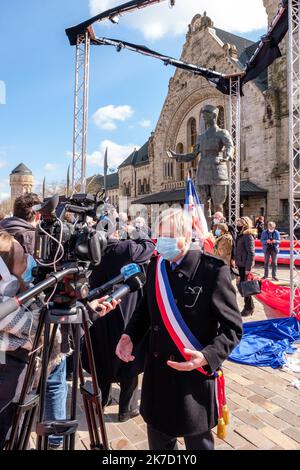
183 403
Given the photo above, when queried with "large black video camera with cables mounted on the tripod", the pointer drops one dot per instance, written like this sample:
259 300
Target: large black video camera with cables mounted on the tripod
59 242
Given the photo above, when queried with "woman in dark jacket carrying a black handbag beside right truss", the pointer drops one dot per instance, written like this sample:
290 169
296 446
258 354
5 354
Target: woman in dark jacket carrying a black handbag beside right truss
245 257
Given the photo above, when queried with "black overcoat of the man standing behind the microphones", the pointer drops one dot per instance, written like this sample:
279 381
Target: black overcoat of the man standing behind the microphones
106 331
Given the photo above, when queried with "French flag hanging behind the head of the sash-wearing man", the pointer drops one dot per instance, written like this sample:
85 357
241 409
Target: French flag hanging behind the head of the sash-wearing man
194 208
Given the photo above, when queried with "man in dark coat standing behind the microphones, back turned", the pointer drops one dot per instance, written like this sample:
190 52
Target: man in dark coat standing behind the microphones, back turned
106 331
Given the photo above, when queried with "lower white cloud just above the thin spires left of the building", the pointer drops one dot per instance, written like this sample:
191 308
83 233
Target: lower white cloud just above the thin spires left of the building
116 154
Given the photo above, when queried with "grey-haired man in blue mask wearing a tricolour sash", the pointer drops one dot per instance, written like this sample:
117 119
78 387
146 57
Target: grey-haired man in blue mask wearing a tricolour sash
178 400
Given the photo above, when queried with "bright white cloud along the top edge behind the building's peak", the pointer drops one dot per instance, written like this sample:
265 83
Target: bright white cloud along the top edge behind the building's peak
159 20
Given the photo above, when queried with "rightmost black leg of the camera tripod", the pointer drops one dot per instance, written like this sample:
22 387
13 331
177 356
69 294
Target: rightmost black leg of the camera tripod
96 389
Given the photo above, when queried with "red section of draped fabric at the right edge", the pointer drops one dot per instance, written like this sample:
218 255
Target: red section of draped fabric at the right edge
278 297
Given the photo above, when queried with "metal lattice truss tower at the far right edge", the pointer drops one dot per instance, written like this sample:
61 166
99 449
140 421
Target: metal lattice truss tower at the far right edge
294 147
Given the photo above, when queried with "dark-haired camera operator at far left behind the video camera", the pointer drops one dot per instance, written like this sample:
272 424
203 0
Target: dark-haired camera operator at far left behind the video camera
24 221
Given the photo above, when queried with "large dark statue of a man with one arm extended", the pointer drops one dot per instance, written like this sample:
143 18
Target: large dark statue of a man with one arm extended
216 148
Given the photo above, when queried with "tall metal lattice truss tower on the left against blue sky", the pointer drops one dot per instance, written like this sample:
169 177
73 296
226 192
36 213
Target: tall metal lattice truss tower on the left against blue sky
80 112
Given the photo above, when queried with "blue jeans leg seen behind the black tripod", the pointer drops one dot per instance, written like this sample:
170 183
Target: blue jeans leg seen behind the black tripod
56 397
